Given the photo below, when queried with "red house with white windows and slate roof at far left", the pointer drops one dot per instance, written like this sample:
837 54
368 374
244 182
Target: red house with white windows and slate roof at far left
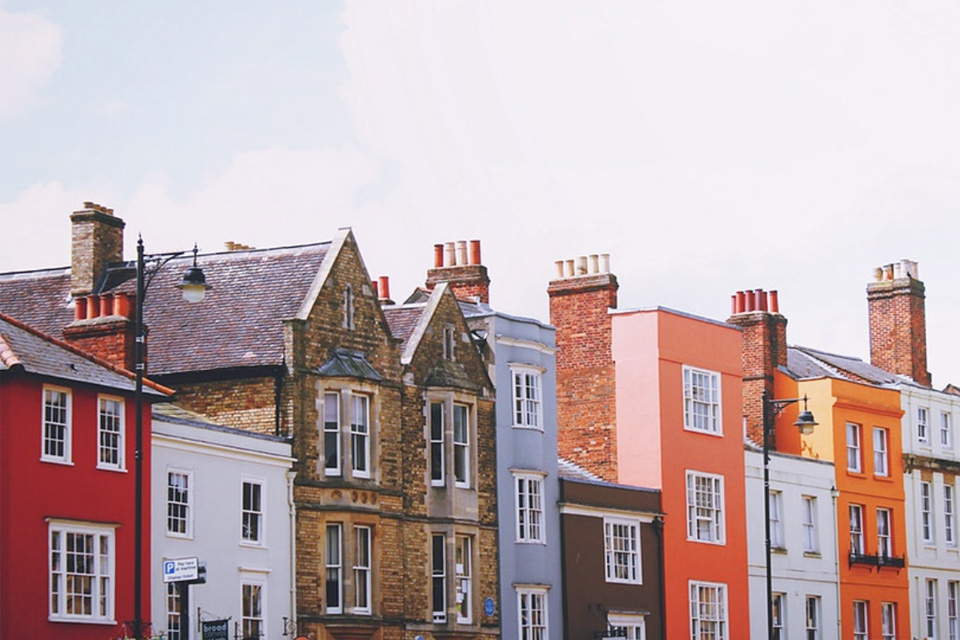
66 489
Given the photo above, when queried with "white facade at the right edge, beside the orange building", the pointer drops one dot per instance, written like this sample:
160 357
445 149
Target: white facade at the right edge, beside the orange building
931 467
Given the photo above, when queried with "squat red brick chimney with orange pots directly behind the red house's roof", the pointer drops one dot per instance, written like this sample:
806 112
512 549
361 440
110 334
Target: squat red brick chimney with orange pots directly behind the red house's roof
103 326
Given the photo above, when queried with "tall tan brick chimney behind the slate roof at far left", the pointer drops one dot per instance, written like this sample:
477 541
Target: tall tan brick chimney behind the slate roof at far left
97 240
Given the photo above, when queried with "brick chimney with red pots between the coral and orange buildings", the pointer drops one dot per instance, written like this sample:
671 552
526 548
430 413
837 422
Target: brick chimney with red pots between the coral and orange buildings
764 348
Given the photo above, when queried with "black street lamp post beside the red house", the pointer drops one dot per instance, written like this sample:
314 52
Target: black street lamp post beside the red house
194 288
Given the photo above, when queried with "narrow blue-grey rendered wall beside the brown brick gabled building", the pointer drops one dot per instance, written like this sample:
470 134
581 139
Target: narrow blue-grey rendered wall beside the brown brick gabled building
523 341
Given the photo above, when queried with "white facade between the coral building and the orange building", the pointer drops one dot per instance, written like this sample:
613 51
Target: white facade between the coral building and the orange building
804 559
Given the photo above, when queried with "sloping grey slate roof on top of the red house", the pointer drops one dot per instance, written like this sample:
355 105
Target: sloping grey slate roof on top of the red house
23 348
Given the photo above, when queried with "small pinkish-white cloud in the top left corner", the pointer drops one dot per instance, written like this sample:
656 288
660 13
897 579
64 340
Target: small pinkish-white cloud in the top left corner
29 55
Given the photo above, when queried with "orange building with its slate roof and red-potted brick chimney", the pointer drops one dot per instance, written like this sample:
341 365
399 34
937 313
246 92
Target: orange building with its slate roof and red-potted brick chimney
859 430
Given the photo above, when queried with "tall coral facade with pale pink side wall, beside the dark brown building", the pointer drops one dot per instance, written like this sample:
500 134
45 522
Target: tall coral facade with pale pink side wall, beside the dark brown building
652 349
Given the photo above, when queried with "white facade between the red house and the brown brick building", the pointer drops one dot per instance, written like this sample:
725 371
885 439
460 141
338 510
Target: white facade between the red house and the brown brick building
217 463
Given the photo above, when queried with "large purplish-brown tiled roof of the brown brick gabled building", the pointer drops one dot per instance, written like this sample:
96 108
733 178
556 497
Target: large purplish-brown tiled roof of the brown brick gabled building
238 325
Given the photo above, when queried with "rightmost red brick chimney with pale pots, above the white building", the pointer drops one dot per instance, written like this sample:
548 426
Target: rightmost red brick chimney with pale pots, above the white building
898 321
